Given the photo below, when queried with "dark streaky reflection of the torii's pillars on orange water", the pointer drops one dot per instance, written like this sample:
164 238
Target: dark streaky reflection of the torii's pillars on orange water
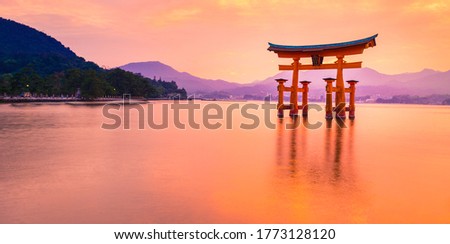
292 149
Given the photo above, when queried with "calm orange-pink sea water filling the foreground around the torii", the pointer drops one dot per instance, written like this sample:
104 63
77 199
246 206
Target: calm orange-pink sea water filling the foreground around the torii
390 165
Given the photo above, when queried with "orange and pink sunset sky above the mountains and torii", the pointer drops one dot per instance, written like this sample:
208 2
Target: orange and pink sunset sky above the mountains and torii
228 39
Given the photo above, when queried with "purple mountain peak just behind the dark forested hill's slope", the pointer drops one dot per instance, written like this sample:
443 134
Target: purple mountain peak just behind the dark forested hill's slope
192 84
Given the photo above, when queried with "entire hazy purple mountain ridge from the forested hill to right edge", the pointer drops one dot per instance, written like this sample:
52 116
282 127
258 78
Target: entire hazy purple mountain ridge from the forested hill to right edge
372 82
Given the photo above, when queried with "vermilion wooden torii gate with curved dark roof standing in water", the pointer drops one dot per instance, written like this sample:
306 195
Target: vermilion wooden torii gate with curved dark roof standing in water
317 54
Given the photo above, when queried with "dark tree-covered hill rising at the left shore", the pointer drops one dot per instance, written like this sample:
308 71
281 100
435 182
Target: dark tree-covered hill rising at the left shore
31 61
